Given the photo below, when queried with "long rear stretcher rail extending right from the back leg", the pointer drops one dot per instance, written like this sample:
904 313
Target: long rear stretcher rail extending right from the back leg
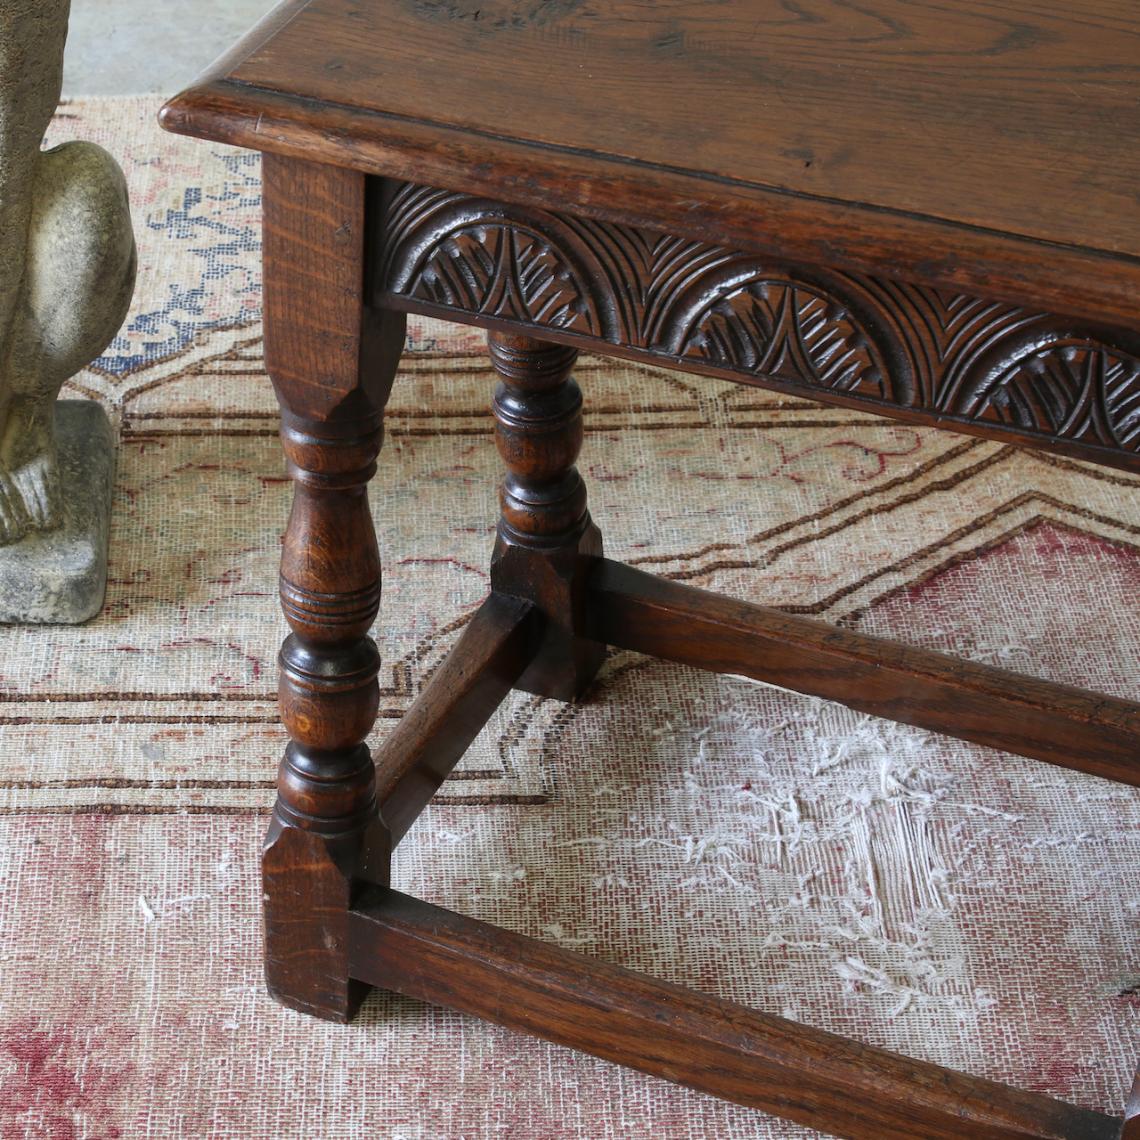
1057 723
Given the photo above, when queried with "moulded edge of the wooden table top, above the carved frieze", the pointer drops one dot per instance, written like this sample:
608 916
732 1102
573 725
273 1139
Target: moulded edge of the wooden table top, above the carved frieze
1097 286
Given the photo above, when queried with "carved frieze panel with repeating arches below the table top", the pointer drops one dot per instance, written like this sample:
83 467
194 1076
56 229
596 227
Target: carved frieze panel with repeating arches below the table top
954 357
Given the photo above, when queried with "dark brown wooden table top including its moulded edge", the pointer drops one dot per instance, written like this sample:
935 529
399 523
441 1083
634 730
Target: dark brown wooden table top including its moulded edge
991 145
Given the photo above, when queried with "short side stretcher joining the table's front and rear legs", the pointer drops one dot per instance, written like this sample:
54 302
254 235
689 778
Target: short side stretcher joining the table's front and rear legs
431 738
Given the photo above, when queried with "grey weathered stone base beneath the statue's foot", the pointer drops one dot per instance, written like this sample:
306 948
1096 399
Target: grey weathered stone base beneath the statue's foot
61 576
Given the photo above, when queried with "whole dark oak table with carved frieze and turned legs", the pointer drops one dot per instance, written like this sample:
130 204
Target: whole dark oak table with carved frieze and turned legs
925 210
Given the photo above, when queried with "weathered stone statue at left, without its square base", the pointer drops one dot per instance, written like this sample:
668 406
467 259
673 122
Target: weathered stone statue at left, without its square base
67 267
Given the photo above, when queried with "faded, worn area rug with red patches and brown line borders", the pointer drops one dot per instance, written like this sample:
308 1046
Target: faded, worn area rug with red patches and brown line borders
946 901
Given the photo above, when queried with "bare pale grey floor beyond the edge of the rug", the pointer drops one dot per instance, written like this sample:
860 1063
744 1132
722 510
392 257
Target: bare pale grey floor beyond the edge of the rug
135 47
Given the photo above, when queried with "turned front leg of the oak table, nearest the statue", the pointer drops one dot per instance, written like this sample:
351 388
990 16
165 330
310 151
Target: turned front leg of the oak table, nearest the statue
332 363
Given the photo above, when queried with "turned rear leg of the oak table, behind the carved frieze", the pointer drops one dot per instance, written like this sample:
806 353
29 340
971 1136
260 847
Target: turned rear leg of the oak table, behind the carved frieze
547 540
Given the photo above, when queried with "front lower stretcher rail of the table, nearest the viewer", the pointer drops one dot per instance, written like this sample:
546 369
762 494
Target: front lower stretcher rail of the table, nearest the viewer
808 1076
